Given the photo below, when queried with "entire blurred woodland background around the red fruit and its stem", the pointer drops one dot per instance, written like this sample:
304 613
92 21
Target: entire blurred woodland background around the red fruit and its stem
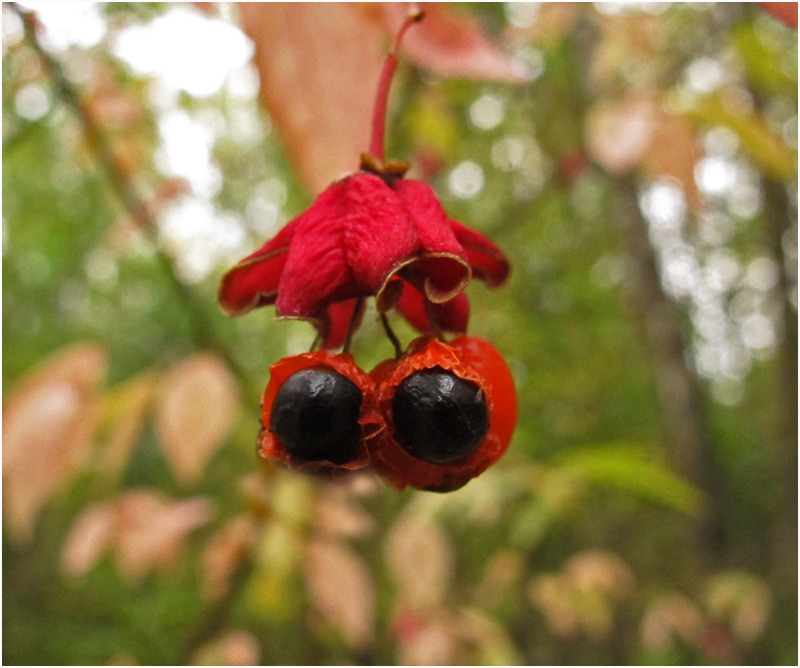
638 164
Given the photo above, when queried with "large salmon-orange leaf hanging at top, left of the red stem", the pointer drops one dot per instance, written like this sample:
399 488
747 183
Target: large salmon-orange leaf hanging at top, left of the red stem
319 65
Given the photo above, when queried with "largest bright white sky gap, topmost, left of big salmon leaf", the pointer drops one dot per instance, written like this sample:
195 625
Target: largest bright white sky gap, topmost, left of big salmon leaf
186 50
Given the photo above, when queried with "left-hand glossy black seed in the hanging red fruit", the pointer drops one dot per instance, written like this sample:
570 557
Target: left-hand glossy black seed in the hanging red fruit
315 415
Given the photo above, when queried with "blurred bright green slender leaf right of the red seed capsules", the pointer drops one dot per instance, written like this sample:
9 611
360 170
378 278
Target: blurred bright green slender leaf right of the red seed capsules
631 469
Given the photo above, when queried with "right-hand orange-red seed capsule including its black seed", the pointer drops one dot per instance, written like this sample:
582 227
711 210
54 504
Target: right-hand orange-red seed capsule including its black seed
450 412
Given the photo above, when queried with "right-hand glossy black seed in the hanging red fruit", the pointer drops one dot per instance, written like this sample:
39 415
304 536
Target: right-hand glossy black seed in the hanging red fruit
439 417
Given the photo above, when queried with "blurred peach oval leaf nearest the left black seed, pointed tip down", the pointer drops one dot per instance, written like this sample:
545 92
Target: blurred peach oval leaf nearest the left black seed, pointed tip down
197 409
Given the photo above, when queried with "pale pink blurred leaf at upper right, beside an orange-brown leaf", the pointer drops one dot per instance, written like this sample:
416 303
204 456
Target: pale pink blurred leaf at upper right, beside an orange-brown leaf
618 132
